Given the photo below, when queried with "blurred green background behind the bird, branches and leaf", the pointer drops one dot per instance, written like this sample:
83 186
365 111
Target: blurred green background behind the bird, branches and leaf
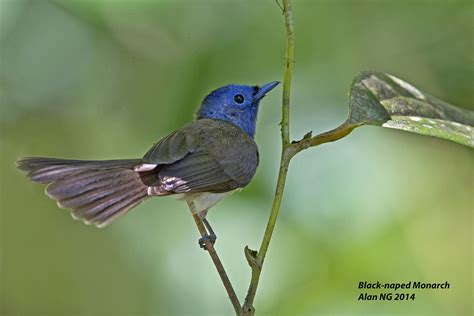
105 79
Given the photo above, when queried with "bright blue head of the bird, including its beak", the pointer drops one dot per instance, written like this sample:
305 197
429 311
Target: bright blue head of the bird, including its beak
236 104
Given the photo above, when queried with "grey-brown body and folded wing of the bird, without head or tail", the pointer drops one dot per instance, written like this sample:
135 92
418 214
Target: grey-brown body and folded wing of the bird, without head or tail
204 156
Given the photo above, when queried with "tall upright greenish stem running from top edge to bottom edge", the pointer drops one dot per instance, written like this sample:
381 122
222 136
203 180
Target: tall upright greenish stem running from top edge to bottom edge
256 259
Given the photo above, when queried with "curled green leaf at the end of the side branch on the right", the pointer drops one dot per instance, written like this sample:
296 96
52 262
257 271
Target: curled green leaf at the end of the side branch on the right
384 100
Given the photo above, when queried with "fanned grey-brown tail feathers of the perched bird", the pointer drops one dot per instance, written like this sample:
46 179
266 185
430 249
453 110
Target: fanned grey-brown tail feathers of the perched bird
97 191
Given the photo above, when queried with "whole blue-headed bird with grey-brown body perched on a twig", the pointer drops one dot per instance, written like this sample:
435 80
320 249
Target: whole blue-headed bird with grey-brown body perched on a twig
202 162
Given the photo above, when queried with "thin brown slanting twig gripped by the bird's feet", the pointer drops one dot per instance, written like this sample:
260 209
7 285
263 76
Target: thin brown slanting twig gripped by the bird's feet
217 262
